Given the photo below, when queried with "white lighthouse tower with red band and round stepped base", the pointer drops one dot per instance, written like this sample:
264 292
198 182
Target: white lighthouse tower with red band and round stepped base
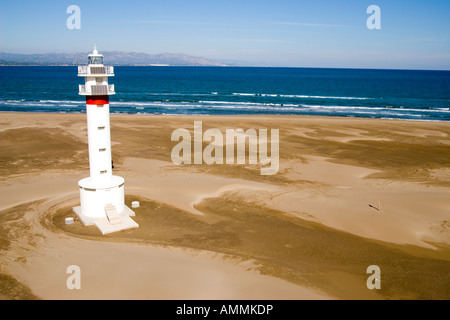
102 194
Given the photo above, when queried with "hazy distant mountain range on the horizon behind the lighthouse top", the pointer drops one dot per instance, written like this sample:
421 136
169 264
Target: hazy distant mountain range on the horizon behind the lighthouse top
111 57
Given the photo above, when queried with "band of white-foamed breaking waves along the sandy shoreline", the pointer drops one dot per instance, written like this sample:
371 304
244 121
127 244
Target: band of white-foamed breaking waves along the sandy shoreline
205 106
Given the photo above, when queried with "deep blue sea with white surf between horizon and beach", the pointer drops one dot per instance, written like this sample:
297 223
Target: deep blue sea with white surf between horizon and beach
361 93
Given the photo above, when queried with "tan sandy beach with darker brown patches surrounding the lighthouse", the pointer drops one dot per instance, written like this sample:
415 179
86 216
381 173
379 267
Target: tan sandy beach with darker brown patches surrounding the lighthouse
349 193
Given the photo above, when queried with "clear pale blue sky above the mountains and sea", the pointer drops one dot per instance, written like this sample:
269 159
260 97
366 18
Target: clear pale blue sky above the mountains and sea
298 33
